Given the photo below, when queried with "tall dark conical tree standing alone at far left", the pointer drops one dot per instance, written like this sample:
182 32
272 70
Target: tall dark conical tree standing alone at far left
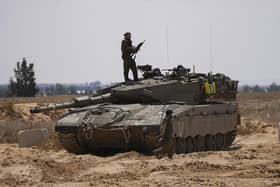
24 83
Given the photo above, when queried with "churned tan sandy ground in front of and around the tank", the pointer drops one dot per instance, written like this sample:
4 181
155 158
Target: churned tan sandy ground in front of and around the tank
253 160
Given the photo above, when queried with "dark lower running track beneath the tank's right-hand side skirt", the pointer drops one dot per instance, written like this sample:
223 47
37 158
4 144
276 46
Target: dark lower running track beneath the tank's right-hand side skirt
203 143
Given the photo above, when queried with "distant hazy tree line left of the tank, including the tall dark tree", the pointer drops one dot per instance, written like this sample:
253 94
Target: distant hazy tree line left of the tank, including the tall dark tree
23 84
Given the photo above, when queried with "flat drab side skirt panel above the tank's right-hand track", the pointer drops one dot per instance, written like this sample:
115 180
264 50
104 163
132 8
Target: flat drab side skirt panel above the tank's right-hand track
220 118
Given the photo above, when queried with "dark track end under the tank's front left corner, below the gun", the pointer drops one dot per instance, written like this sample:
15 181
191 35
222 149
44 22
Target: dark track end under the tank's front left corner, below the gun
71 143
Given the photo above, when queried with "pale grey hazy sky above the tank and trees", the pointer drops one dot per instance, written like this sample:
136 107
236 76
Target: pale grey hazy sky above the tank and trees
75 41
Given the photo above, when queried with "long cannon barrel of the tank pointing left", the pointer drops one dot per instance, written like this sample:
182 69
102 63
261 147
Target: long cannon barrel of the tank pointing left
75 103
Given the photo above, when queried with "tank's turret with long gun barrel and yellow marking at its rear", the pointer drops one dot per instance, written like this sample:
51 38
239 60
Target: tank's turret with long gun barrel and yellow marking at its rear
177 85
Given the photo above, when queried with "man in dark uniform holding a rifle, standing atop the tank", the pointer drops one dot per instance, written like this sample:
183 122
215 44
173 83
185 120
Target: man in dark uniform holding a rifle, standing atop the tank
128 50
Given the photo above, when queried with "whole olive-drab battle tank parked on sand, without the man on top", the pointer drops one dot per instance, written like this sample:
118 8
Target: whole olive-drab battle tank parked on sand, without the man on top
128 116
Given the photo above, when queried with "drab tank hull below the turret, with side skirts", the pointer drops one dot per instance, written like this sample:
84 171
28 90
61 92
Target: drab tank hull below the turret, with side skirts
196 127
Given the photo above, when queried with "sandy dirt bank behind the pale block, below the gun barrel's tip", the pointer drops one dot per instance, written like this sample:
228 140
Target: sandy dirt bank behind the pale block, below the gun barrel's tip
16 117
